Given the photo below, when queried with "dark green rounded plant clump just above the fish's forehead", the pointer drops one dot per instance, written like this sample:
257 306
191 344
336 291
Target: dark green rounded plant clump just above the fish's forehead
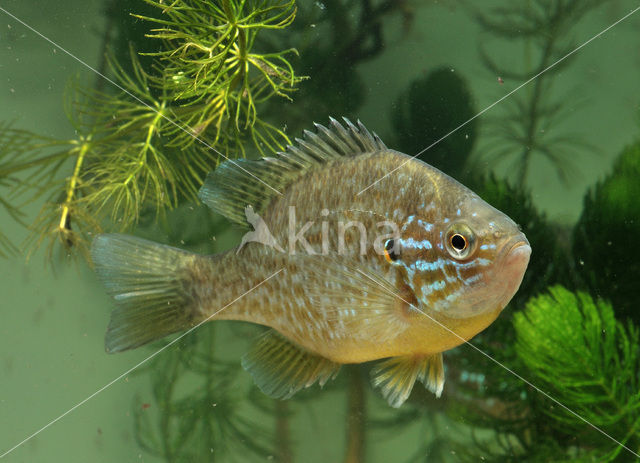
425 112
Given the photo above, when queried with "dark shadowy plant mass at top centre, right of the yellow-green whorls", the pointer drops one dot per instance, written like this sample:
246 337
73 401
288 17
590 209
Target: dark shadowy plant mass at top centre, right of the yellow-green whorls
334 37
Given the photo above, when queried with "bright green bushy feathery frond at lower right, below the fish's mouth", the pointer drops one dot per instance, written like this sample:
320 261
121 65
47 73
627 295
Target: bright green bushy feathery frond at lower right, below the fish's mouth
587 360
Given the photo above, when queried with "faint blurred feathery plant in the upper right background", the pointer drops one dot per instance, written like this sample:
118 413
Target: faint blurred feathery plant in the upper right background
523 130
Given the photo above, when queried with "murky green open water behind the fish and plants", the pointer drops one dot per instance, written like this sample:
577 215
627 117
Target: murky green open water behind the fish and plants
54 317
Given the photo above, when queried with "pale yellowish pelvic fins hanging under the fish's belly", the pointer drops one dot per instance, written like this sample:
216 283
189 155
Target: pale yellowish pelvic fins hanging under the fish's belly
396 376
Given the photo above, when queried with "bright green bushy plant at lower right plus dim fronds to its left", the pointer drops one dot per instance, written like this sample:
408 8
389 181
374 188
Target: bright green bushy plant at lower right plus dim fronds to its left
571 347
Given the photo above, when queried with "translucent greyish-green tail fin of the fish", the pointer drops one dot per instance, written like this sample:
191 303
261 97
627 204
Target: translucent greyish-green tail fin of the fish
150 284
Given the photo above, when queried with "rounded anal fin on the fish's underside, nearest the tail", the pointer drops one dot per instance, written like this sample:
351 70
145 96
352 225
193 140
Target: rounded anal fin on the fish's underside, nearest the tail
281 368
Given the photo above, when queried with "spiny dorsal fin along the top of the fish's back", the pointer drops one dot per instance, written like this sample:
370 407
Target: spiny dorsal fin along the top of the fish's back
236 184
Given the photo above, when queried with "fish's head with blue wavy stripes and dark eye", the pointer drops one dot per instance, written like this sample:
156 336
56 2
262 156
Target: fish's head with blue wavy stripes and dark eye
465 260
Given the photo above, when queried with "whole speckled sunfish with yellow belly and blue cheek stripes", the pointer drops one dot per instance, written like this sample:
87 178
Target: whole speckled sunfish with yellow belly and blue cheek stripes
359 253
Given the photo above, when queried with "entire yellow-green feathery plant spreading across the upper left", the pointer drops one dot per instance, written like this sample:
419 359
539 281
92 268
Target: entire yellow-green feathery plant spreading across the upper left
147 147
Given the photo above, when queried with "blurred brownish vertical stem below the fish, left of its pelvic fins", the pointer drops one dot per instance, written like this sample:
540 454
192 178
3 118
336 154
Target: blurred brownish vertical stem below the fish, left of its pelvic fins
356 417
